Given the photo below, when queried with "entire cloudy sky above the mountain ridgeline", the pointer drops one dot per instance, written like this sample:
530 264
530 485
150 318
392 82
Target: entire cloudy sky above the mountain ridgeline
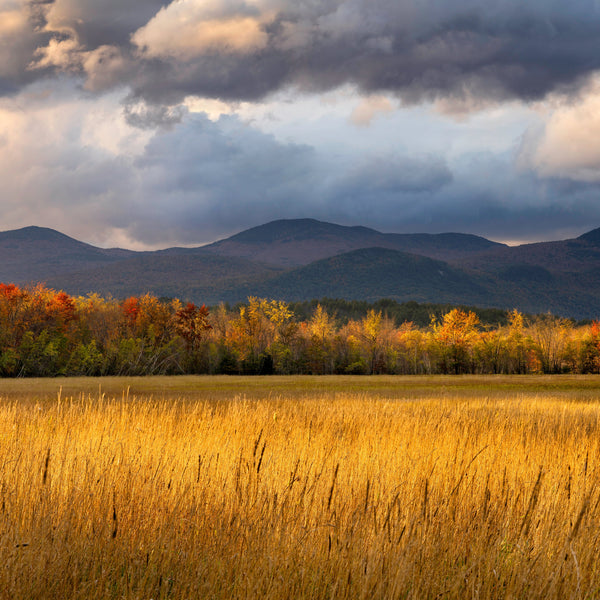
147 123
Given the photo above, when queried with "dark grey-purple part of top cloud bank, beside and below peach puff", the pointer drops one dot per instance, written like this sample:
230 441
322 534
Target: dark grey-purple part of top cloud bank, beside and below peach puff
418 50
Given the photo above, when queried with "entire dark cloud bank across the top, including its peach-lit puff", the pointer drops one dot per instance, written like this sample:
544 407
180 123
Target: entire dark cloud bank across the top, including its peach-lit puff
238 50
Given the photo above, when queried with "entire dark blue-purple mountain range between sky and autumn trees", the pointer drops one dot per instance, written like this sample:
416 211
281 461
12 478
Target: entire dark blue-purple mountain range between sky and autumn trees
304 259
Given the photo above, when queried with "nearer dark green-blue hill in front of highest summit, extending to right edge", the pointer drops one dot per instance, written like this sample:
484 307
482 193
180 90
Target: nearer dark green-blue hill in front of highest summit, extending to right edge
374 273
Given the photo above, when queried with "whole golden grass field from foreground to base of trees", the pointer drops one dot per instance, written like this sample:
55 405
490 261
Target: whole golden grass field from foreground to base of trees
311 487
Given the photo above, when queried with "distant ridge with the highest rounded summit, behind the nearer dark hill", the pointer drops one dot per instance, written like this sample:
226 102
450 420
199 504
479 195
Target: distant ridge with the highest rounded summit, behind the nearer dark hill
296 242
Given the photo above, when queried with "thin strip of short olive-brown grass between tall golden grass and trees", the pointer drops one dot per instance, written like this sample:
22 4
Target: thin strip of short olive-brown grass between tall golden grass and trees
574 387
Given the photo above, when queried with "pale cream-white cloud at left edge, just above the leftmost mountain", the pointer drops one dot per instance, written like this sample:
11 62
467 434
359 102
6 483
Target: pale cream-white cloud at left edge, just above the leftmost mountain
65 162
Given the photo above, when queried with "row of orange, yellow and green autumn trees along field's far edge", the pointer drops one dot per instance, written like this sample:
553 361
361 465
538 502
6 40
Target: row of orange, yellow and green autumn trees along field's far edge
48 333
